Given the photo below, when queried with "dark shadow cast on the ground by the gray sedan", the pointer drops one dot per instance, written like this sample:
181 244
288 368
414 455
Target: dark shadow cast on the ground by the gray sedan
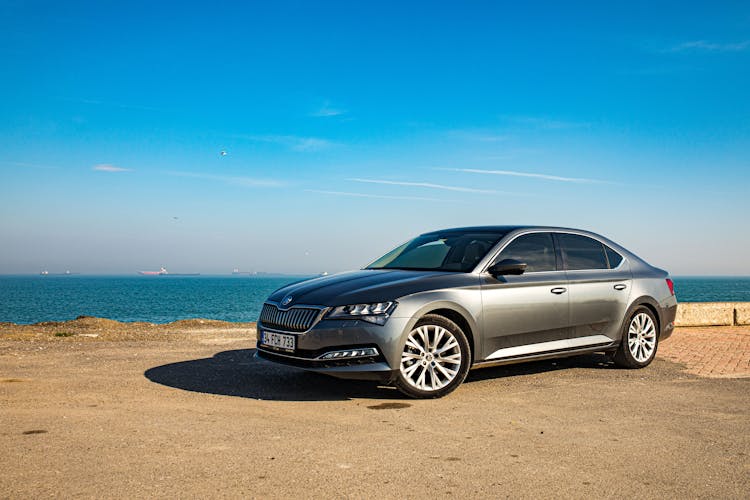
238 373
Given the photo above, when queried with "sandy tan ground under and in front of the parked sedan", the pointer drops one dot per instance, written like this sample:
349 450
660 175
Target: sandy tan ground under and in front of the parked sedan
185 411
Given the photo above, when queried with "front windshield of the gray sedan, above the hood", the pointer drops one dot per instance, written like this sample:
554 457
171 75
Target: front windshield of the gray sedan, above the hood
450 251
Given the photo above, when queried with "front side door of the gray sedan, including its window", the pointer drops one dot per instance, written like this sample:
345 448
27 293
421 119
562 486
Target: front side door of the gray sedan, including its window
526 314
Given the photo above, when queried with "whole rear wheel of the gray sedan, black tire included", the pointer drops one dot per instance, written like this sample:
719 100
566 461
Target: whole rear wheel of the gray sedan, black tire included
640 339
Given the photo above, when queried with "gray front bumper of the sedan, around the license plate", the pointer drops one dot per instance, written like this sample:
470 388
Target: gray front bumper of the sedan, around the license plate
334 335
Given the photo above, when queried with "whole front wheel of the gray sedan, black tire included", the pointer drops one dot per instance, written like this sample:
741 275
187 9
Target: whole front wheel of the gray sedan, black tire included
435 360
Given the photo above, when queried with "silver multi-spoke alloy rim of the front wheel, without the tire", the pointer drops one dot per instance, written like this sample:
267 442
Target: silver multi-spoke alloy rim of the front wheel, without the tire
431 358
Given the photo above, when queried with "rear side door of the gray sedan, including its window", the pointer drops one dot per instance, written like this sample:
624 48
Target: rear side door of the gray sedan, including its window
599 282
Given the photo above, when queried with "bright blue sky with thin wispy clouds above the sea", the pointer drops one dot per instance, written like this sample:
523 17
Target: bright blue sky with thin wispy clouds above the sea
350 126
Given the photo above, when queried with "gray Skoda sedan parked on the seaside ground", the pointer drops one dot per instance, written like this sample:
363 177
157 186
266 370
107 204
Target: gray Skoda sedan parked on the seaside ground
427 312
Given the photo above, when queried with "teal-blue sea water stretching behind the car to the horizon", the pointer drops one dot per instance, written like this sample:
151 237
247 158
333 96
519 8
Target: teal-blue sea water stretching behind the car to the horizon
161 299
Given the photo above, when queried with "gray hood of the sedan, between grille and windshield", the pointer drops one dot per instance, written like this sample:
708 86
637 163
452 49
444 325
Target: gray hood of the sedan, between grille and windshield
366 286
